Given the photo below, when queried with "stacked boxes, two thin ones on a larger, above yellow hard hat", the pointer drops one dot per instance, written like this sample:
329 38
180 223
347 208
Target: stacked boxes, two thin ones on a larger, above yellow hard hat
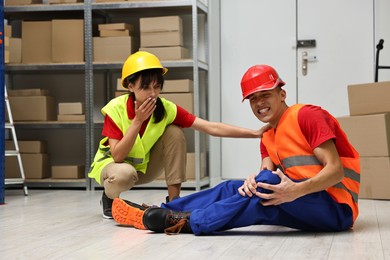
115 42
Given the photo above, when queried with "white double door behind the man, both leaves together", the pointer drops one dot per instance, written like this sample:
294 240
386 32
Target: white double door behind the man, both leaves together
261 31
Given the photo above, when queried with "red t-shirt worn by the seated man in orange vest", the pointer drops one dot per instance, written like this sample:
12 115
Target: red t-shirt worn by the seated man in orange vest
318 126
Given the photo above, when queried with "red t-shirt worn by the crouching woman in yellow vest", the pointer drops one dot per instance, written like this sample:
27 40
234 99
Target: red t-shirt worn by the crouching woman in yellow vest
110 129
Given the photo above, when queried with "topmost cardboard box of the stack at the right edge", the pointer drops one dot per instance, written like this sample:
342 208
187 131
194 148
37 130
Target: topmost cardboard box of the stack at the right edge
370 98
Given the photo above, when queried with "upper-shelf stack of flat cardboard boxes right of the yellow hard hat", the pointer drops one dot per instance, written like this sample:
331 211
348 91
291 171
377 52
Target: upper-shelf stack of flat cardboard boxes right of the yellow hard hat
163 36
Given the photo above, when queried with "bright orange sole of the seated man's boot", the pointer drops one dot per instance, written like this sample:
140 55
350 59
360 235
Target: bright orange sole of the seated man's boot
127 215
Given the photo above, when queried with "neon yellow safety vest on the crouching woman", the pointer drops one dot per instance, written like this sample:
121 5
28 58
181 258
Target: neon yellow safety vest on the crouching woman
138 156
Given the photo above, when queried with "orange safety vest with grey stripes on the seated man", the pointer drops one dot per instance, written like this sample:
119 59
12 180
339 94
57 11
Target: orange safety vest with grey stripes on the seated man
290 152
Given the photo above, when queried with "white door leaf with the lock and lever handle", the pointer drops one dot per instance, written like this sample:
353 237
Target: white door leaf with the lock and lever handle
343 52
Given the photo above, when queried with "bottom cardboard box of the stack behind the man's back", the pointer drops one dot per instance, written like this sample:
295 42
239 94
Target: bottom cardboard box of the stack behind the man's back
374 178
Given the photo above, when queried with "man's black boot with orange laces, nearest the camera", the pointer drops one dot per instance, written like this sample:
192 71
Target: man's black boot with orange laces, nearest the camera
164 220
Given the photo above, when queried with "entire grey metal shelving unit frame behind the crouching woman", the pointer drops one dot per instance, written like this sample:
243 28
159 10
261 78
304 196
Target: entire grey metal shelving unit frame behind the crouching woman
194 13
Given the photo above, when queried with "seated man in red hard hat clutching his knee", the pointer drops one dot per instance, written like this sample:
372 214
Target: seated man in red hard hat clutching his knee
309 180
